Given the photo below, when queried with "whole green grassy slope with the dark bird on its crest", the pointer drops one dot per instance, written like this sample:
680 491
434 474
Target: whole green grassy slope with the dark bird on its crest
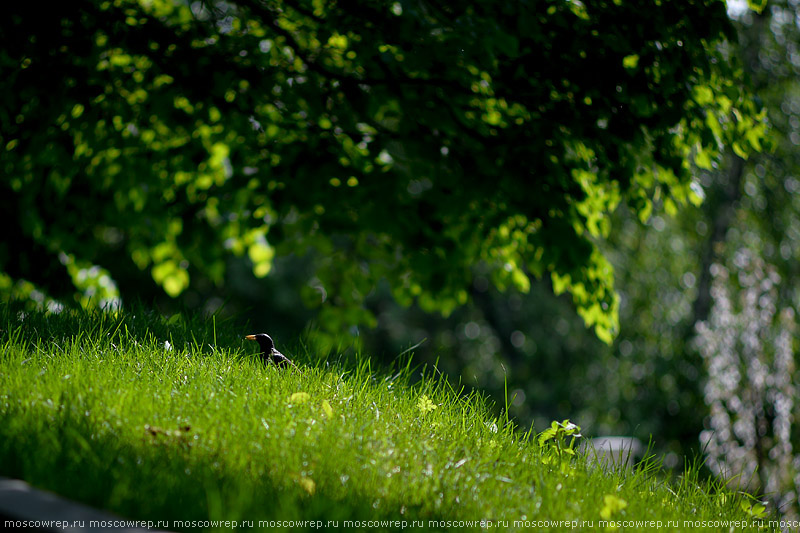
95 407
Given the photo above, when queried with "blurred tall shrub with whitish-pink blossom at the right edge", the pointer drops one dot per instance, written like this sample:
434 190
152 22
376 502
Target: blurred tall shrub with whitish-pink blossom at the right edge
746 345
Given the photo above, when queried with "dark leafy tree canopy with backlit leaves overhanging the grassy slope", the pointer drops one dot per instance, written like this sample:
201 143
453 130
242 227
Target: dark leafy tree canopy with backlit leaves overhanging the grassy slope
404 140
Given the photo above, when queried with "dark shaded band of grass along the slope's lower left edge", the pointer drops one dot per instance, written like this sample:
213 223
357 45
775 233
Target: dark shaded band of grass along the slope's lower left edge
149 481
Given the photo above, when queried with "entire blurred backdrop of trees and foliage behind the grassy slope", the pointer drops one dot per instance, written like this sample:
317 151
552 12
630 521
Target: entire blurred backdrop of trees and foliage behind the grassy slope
433 181
